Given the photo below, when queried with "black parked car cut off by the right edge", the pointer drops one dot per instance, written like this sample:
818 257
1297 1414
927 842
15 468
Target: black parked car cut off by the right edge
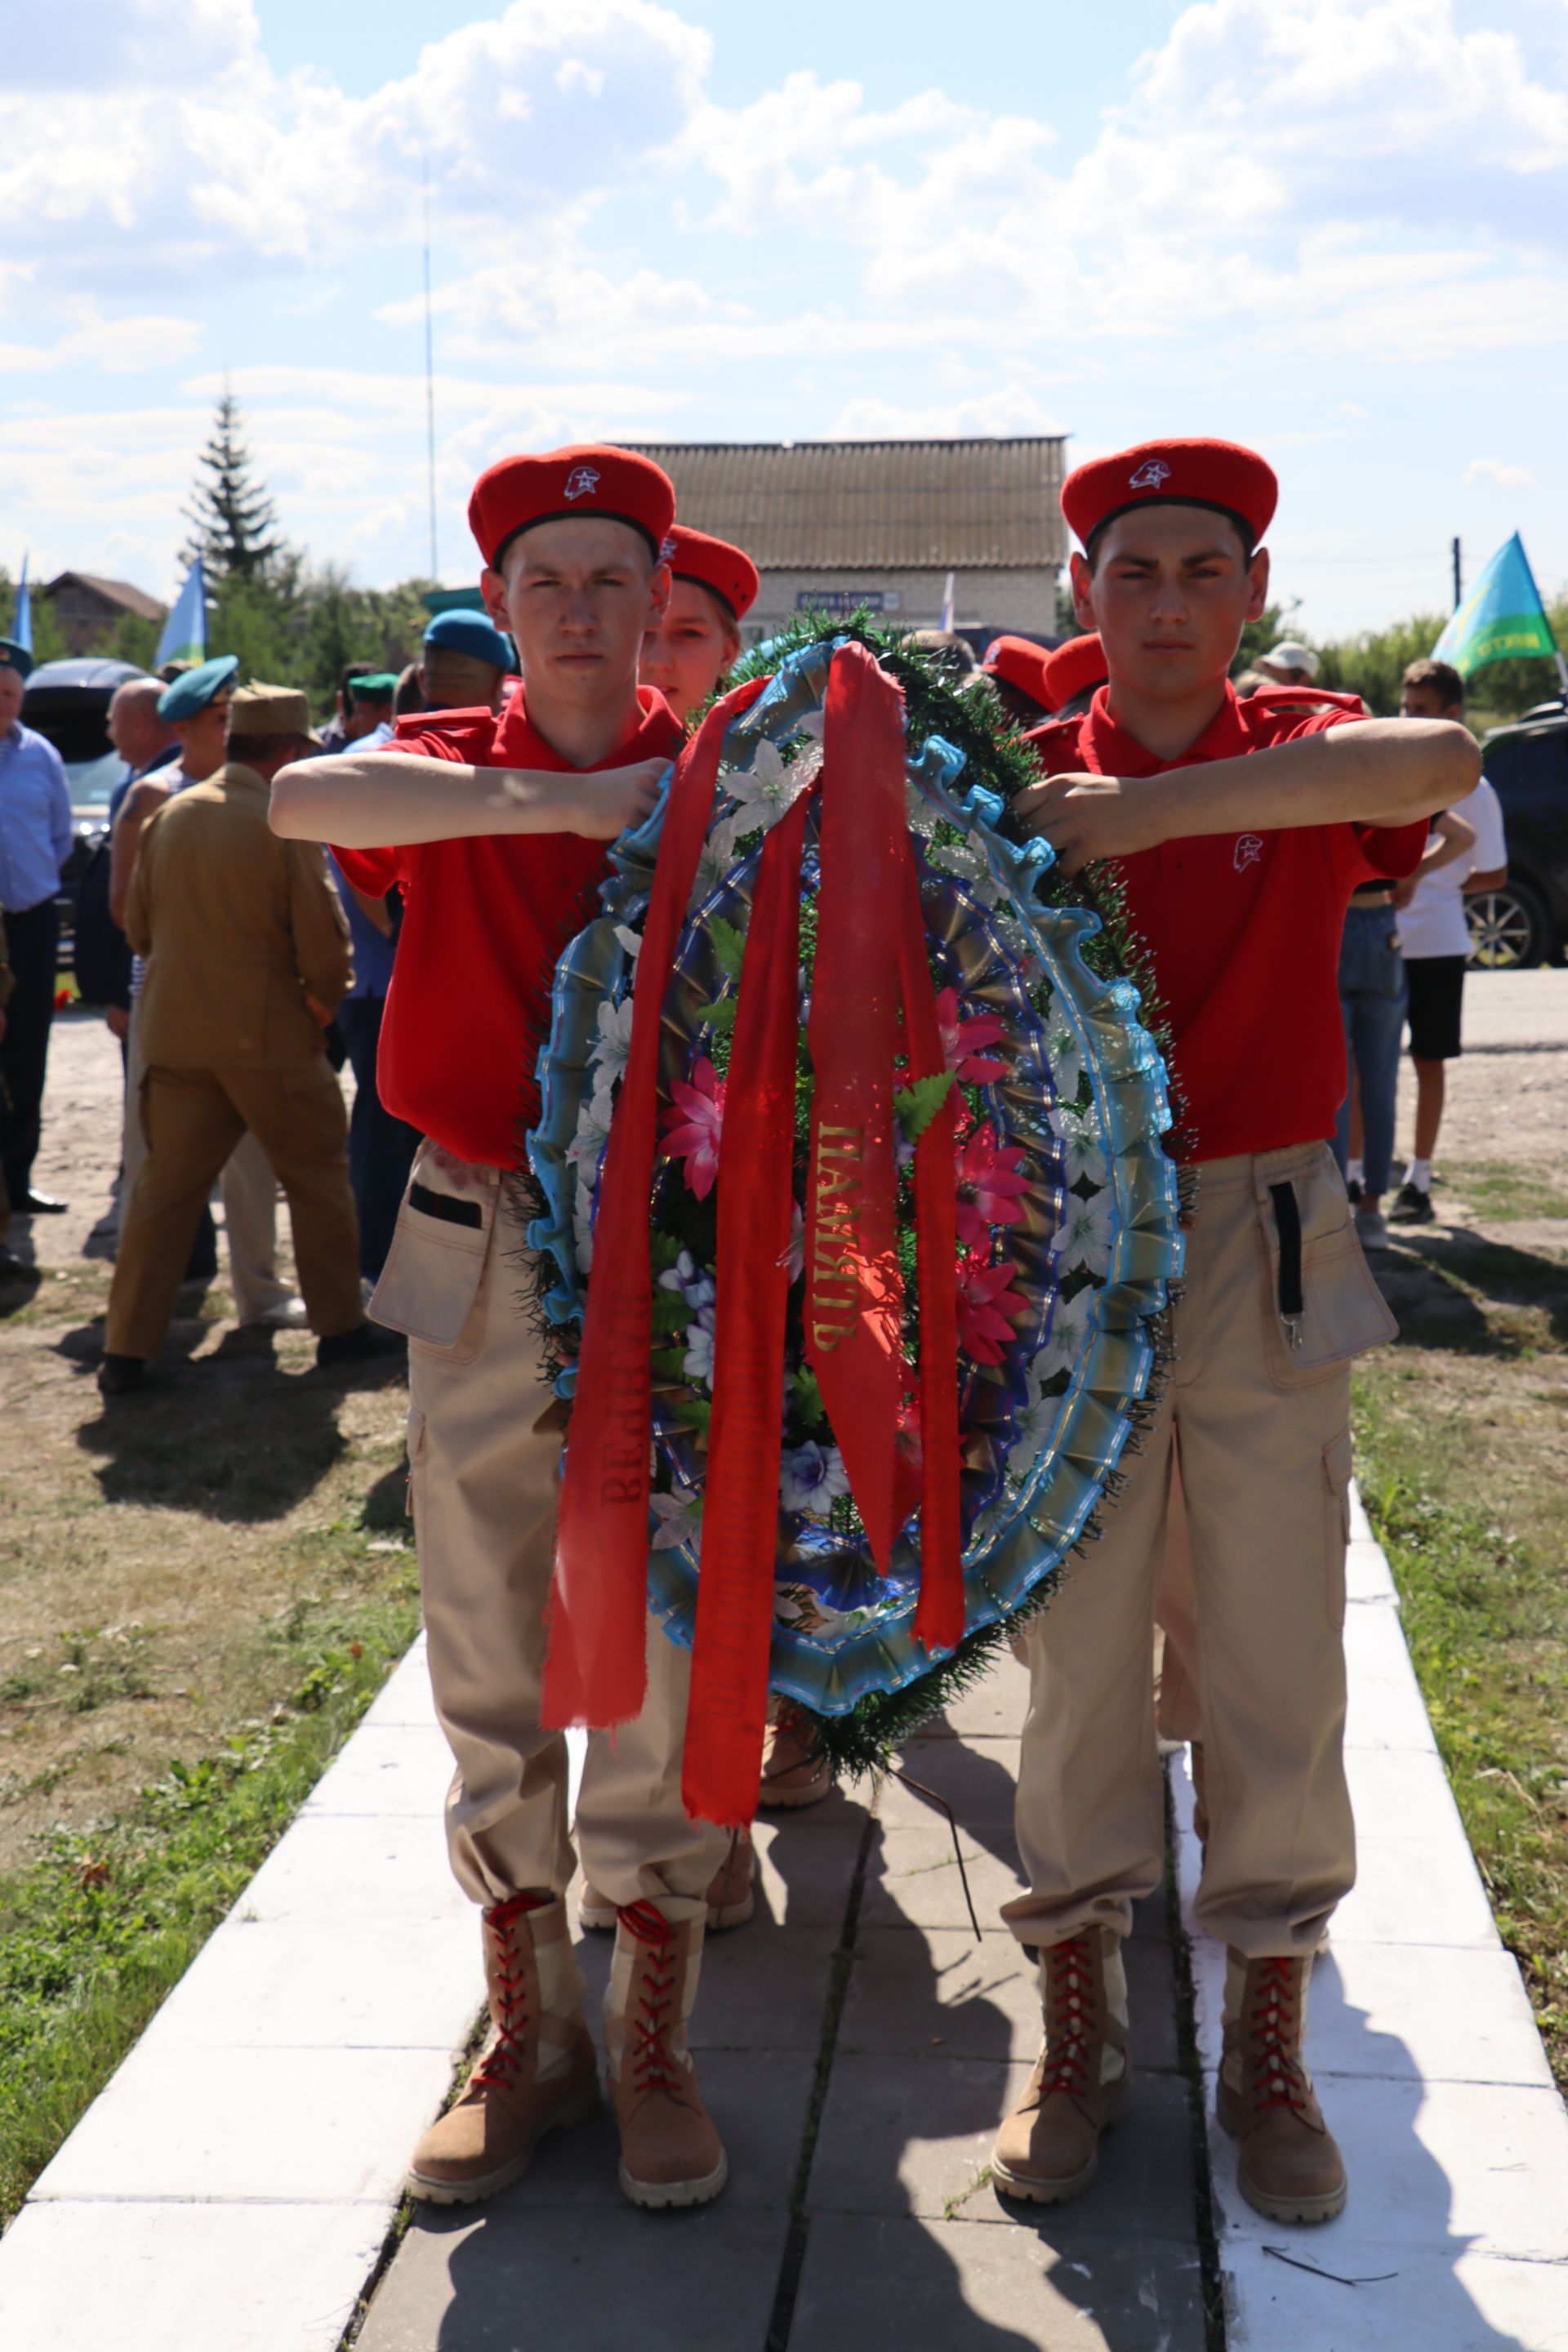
1527 921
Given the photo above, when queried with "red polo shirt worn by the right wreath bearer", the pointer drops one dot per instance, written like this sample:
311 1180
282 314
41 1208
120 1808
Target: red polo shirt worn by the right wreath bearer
1245 933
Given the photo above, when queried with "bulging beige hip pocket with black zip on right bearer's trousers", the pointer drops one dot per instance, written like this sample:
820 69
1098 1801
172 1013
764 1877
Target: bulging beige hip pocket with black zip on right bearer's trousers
1322 1307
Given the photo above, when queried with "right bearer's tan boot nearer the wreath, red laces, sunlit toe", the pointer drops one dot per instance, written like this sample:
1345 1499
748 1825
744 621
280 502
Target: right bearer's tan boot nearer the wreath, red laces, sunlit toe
1083 2083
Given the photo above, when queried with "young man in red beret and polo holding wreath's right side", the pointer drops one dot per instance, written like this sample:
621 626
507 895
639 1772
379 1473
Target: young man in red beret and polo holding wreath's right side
1238 831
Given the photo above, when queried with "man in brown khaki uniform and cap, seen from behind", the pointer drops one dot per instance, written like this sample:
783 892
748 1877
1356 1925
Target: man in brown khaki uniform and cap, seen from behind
248 956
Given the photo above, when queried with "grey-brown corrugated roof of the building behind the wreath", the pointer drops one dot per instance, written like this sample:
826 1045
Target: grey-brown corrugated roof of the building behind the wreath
909 505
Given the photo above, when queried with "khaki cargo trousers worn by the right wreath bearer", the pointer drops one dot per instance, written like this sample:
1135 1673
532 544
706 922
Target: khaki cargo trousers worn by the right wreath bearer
1264 1441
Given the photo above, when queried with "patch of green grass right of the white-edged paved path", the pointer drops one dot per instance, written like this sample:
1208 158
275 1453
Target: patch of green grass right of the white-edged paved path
1461 1445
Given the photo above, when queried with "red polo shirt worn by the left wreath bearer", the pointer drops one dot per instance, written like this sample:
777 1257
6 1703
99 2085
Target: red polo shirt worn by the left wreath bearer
483 926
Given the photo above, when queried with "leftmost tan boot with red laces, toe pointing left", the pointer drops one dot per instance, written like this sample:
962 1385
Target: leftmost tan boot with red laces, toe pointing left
537 2066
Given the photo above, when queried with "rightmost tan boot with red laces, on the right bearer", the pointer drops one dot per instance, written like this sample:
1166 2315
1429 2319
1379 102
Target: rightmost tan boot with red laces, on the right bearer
1292 2167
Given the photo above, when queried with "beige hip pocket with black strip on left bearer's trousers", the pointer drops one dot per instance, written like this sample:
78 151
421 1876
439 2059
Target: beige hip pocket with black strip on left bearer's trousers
431 1283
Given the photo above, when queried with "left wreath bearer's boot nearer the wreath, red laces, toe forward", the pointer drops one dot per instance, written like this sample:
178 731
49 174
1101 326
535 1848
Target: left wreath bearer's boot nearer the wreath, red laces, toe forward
671 2153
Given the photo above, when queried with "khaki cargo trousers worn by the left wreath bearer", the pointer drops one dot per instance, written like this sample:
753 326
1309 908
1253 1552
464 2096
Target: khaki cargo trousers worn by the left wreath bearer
485 1452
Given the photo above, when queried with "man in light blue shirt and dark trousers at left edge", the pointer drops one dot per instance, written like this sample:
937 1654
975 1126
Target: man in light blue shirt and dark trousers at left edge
34 848
